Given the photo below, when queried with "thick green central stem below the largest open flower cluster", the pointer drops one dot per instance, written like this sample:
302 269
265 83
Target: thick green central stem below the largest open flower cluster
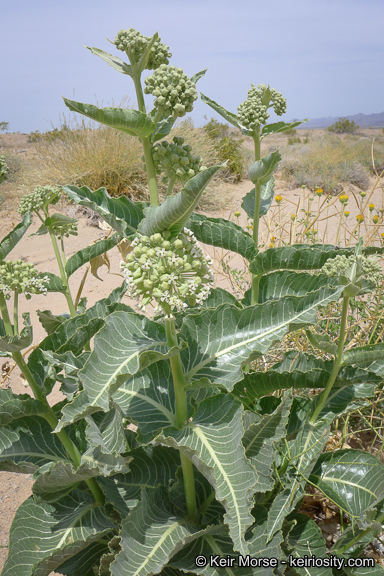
181 417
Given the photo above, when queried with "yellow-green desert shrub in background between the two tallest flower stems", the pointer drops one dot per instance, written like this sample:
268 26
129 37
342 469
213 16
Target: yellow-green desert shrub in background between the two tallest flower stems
227 148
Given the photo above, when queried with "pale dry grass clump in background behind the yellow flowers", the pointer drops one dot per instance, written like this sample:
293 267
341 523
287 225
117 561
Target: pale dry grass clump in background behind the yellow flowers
329 161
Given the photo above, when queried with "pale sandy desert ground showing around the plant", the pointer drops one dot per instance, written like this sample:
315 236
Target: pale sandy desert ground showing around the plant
15 488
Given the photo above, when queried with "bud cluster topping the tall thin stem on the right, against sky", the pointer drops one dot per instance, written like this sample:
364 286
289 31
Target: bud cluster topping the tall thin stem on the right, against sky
254 110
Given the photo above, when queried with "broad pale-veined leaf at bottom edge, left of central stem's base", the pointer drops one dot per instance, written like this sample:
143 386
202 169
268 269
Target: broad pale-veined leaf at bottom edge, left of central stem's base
150 535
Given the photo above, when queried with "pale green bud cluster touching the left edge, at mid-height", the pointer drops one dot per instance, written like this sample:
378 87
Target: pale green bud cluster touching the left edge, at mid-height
22 277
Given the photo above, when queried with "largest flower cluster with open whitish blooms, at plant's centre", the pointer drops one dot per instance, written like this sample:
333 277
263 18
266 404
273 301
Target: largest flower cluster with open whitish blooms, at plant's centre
169 270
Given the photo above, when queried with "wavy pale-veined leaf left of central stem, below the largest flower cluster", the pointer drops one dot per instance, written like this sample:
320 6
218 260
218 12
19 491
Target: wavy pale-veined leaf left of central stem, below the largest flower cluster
126 344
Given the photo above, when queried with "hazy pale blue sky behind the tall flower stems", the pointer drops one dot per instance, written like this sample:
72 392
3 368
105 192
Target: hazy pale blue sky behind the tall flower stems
325 56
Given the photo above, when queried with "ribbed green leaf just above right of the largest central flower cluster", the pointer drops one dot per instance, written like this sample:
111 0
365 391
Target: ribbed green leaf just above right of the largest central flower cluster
223 234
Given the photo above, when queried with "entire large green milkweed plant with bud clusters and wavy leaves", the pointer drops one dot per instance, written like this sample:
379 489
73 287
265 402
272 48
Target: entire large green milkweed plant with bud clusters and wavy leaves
173 452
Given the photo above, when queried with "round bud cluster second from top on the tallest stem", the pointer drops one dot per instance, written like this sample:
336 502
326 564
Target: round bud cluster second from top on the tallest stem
174 92
